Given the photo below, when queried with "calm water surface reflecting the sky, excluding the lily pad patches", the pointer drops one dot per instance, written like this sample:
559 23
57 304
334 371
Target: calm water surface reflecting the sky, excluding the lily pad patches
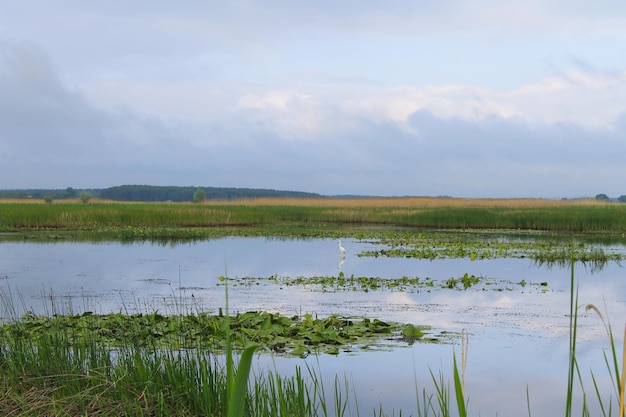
518 337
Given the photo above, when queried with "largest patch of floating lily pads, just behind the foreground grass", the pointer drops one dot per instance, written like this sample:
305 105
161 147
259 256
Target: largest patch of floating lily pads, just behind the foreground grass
293 336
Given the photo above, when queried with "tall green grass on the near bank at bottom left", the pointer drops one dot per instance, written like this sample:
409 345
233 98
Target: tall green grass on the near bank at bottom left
55 376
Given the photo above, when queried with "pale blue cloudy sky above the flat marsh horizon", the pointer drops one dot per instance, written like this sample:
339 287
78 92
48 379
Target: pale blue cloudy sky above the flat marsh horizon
396 98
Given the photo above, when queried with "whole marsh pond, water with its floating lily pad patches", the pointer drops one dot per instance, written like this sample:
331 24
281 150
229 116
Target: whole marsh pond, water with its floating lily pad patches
416 288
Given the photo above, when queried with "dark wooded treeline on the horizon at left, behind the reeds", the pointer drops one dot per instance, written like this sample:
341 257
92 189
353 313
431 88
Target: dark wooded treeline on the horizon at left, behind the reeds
154 193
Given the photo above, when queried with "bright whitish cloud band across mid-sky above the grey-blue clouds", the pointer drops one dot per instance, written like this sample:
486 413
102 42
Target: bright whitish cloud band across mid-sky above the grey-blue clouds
591 100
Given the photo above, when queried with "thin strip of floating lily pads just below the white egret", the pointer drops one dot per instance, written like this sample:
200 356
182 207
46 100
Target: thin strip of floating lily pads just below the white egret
342 282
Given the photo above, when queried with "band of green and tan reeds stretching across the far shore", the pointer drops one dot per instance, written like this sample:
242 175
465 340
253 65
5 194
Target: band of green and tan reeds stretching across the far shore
302 216
